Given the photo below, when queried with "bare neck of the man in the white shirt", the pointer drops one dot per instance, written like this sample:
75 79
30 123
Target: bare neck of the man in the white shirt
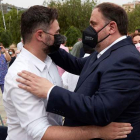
35 50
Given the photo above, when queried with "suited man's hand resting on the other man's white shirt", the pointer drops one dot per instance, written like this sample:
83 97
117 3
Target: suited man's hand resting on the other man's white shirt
32 83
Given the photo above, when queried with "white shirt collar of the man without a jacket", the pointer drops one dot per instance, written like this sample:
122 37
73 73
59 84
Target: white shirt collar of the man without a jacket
37 62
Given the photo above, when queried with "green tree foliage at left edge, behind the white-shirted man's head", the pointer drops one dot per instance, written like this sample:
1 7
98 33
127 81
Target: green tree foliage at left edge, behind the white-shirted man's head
12 33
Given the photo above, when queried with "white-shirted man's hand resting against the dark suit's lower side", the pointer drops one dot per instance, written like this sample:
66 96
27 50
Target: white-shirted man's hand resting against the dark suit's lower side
114 131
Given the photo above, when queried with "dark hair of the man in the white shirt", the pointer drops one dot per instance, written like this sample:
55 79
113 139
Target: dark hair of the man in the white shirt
36 17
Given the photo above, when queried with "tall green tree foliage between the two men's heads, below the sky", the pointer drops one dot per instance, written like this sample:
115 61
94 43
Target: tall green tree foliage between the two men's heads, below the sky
73 13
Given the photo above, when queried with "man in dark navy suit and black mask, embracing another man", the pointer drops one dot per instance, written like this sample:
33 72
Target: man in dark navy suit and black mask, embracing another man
109 85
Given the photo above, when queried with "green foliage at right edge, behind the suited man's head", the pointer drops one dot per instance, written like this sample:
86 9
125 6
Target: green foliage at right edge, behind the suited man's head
134 19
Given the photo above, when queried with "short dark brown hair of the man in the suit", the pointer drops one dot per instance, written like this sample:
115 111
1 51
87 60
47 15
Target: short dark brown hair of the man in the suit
113 12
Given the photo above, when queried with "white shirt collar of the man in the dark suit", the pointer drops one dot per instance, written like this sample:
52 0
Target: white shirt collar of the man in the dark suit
104 50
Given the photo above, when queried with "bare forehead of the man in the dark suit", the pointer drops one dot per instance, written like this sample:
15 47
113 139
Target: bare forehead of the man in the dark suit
96 16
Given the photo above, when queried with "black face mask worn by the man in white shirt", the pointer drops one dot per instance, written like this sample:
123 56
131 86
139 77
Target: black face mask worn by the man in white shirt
58 40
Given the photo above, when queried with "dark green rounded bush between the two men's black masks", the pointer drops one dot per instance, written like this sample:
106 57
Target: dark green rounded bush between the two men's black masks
72 35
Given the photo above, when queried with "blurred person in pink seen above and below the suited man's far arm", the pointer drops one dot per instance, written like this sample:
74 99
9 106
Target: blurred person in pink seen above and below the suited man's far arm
63 46
